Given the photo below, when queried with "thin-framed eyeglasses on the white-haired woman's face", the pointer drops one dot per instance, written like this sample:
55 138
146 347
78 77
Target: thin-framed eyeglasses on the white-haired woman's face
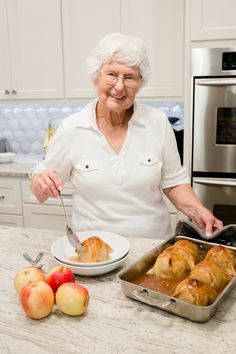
111 78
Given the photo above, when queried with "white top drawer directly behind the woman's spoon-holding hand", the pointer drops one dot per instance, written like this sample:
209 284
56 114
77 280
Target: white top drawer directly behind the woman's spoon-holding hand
28 196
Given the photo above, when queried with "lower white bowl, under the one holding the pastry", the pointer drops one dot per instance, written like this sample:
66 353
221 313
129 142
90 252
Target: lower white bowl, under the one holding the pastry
92 271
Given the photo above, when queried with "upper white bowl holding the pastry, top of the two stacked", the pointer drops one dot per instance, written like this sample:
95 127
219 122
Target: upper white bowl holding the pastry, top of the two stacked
63 250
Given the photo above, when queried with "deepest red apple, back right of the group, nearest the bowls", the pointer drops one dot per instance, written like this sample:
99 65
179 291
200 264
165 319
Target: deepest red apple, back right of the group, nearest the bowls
58 276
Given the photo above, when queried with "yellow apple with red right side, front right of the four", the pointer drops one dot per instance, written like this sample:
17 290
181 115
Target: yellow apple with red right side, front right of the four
72 299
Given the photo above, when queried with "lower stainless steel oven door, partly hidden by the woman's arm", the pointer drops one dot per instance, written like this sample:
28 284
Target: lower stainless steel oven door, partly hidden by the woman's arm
219 196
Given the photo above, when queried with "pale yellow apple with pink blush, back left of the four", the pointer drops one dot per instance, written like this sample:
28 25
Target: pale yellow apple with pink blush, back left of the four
25 275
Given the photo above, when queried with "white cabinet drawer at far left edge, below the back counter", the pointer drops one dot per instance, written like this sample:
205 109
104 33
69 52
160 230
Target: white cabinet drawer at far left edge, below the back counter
10 196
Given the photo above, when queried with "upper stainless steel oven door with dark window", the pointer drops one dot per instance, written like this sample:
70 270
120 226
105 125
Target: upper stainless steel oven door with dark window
214 127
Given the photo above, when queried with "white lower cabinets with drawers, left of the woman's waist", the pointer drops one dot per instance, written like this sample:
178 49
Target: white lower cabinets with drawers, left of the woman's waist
19 207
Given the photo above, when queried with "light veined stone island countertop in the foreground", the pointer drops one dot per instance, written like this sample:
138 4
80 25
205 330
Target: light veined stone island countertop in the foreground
113 322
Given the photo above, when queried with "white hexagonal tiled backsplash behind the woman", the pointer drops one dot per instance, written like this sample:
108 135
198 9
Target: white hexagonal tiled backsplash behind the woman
24 125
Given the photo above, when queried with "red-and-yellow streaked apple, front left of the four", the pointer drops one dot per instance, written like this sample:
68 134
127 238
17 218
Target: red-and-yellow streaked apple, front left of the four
37 299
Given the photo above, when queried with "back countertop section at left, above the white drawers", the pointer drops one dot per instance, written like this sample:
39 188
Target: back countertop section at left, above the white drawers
15 169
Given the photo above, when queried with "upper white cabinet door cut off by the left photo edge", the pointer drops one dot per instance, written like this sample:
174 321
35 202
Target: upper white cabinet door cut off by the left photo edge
5 75
